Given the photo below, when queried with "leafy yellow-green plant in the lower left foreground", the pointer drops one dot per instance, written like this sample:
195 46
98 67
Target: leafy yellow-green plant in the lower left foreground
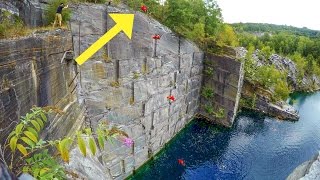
29 152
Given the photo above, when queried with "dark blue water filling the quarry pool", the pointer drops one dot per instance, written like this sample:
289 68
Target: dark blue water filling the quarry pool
255 148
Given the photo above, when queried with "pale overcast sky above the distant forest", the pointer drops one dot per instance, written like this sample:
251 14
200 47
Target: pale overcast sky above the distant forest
299 13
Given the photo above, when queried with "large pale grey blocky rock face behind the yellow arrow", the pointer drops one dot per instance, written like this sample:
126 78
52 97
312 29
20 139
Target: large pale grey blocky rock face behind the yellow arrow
127 83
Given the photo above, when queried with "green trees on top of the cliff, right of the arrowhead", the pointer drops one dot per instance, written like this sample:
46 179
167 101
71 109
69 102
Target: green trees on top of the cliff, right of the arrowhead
197 20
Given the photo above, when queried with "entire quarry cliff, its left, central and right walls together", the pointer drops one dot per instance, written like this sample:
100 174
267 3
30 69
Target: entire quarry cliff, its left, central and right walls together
126 83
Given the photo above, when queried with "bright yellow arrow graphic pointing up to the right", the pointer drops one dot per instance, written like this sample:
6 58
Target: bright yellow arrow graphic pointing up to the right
124 22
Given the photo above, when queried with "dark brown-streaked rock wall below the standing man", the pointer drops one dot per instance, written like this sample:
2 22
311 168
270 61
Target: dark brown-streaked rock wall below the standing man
31 73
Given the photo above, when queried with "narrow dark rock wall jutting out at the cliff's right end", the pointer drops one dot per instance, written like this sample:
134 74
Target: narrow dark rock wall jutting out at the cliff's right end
223 76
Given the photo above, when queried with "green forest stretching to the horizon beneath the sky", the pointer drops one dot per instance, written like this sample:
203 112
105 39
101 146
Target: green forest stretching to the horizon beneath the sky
304 50
